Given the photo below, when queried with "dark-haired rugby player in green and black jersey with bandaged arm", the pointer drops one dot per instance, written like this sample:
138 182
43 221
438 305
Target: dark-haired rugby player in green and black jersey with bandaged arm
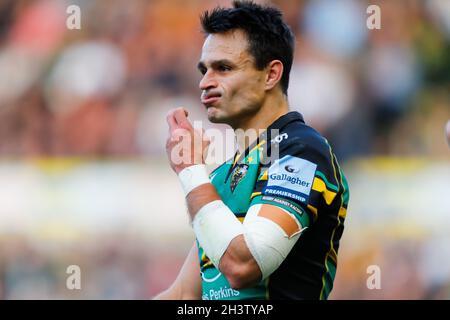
264 229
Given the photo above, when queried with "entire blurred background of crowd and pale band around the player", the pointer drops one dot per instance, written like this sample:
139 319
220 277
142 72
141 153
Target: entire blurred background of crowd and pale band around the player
84 178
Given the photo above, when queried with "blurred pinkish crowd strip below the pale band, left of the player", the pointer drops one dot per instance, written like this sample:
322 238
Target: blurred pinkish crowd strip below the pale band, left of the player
122 267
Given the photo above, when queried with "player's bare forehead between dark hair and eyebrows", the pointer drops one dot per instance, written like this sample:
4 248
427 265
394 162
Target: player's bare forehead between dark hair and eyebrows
231 45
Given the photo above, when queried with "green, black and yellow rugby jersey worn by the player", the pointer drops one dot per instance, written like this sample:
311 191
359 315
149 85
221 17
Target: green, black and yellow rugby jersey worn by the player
291 166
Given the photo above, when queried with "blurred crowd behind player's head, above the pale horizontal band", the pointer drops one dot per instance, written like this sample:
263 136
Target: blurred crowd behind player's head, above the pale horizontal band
104 90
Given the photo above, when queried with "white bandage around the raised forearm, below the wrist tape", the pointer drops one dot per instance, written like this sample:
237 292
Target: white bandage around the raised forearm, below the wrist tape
215 226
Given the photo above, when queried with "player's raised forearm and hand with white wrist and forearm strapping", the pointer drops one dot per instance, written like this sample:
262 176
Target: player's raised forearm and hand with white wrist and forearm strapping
215 225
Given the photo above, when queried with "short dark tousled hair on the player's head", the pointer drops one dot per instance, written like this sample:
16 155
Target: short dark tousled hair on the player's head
269 37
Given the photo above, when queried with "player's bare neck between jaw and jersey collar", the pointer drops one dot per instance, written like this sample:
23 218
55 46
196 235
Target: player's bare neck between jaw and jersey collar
248 130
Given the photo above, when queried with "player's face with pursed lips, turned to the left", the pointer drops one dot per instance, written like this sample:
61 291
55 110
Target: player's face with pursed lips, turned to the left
232 88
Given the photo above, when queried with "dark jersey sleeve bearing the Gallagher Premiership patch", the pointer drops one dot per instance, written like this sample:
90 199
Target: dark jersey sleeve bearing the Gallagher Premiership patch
293 178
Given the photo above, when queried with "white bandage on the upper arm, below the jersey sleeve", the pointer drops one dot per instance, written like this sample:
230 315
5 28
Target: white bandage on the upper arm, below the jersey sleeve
267 241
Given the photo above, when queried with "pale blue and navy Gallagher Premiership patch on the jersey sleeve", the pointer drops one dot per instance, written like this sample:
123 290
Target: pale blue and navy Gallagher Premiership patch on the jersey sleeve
291 177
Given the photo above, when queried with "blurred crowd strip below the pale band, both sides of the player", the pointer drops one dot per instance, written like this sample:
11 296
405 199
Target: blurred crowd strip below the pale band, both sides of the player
123 266
